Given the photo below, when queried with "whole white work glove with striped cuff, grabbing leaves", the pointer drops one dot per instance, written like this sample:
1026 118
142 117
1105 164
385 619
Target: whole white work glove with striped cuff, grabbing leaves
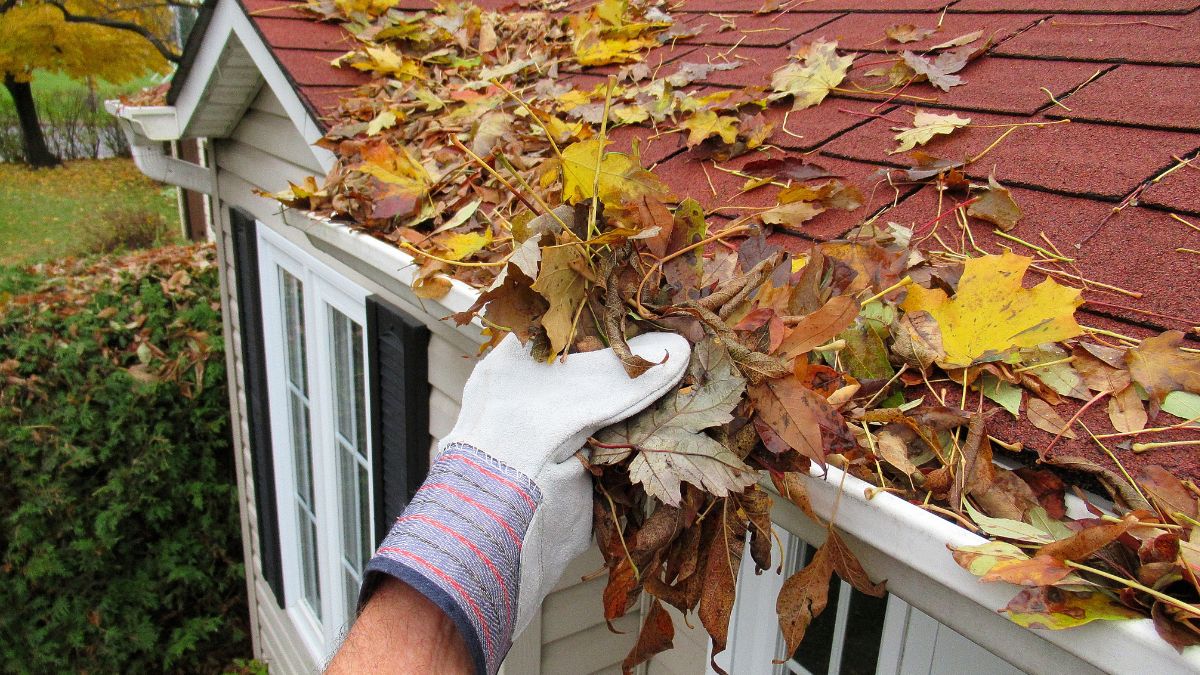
506 506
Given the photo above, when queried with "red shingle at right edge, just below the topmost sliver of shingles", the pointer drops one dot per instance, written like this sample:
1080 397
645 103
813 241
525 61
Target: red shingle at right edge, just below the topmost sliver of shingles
1153 39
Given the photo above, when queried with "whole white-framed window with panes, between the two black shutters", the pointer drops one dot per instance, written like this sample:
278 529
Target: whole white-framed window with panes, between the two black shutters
317 379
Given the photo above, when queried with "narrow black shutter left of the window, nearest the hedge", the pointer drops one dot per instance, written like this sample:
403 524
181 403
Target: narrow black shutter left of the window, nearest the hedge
250 316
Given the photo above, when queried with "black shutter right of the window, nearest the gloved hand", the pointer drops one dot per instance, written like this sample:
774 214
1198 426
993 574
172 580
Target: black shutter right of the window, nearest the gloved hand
400 408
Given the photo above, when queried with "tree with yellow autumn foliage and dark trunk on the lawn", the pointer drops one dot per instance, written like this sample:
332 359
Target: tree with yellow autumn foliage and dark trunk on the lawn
113 40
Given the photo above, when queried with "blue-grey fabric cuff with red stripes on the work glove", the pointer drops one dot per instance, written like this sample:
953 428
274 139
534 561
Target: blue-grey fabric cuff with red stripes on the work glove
459 543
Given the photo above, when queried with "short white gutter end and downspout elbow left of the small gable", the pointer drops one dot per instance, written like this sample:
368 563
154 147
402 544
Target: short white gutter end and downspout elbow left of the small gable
148 128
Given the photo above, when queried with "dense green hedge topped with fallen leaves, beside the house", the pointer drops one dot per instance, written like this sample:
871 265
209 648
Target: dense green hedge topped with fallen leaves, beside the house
119 535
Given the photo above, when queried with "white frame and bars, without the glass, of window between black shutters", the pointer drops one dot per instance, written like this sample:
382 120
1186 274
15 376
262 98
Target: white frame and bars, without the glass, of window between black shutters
322 288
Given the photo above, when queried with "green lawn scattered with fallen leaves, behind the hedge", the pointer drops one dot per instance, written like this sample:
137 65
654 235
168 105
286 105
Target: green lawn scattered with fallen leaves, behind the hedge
44 212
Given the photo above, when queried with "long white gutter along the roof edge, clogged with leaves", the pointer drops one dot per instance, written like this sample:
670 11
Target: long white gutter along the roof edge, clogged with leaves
895 540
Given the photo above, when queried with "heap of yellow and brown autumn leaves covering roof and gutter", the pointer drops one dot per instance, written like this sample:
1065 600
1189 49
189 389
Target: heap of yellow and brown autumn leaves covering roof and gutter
467 152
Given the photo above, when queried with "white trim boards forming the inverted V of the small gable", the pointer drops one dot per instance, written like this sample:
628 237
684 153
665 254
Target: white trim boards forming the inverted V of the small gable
231 21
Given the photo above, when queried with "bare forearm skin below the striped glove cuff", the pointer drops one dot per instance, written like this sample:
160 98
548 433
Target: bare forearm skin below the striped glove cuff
401 631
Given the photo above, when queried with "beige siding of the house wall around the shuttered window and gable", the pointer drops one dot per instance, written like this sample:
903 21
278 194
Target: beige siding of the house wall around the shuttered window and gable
265 152
